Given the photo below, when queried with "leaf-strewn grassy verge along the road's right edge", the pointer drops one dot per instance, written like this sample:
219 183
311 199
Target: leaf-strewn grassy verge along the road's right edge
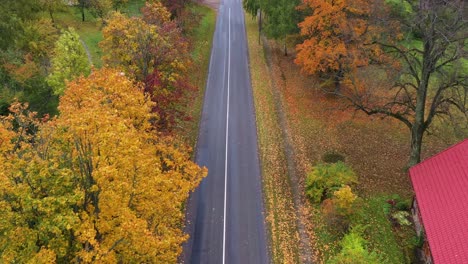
280 215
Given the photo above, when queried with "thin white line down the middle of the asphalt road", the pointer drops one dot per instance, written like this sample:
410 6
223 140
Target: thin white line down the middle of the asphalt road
227 136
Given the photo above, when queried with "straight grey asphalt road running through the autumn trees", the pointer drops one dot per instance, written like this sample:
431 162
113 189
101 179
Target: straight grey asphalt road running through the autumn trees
225 218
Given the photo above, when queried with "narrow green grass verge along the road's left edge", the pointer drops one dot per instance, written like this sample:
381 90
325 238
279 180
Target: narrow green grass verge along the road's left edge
201 39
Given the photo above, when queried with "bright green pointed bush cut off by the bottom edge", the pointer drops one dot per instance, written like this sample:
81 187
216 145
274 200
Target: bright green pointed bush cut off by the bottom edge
354 251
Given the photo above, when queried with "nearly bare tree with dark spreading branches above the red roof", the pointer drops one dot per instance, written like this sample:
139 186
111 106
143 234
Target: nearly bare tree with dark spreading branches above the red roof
431 81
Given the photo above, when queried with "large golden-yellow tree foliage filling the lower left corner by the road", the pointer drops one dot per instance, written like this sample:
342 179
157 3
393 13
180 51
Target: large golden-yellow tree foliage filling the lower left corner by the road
96 184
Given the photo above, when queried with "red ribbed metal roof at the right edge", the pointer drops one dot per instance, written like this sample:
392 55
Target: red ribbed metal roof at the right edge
441 187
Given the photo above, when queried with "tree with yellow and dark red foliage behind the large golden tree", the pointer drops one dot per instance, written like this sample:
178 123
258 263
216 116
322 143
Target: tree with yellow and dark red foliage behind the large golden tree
152 50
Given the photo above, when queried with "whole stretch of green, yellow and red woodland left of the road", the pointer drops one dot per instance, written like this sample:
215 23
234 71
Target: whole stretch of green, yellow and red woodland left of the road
93 96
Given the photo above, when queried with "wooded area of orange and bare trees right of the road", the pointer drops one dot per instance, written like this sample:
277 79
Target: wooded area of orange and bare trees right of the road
417 46
